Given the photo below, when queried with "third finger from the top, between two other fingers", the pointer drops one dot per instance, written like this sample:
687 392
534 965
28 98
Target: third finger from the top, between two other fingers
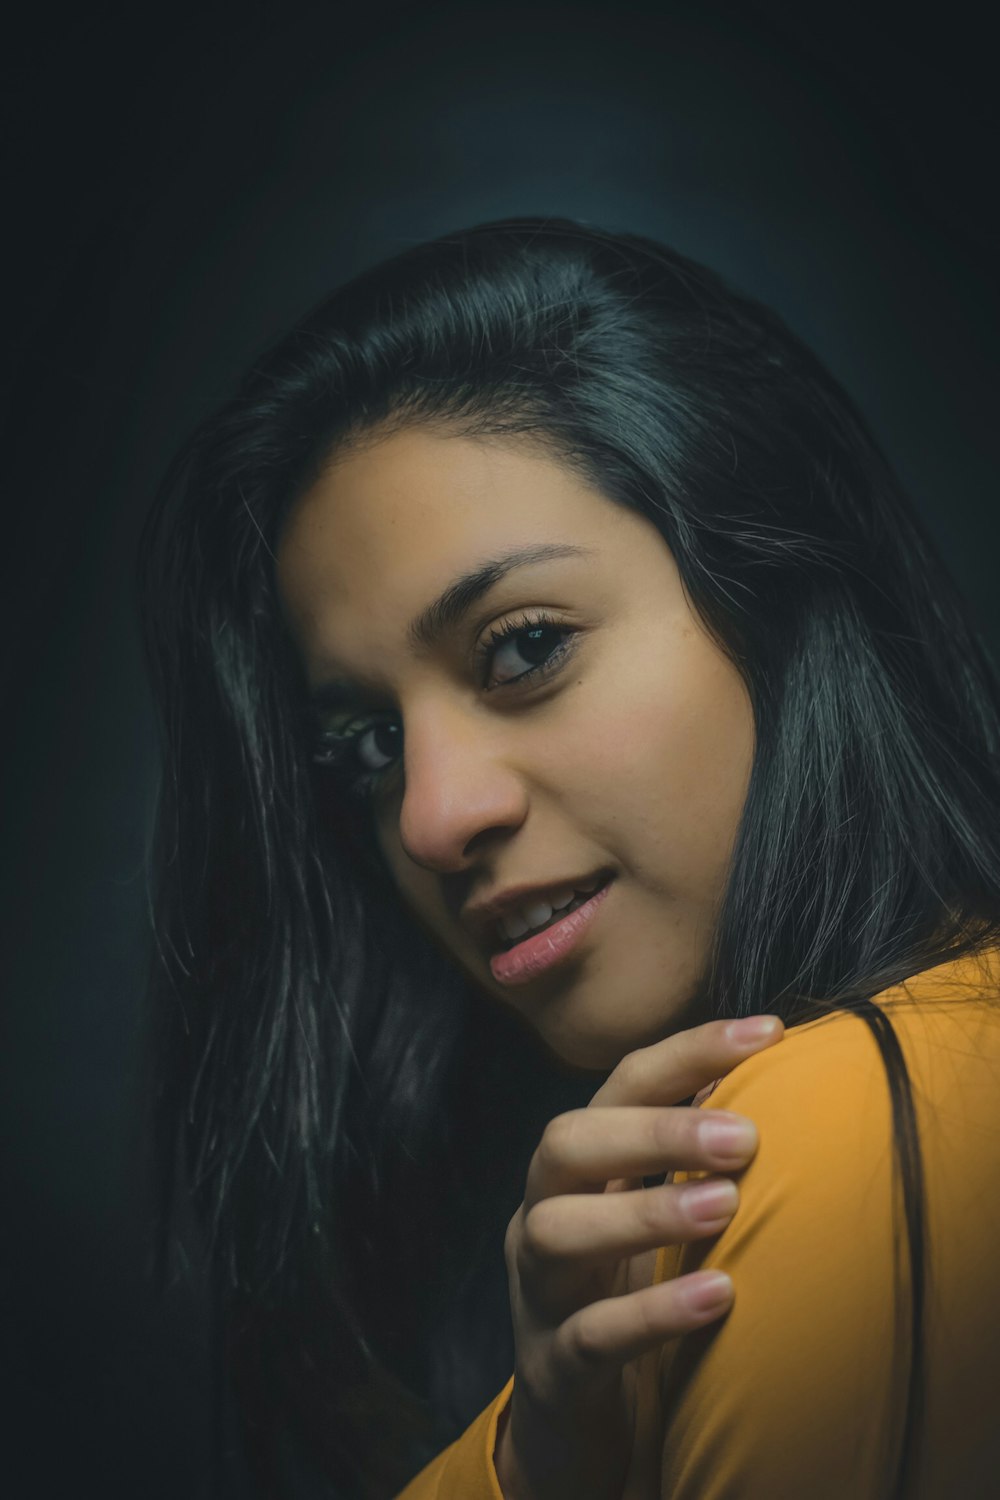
587 1231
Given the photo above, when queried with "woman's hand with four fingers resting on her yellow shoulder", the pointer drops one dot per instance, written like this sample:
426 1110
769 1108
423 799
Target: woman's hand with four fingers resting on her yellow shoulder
569 1247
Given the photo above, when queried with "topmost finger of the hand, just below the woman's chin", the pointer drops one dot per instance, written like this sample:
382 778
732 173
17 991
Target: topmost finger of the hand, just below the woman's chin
680 1066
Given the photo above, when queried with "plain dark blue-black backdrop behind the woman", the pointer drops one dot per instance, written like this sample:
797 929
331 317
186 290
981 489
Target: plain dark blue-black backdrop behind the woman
181 185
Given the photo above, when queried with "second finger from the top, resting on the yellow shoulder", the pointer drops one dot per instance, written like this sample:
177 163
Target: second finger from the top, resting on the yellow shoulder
581 1151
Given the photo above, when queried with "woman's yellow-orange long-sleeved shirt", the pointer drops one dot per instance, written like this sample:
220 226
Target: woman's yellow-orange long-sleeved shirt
800 1393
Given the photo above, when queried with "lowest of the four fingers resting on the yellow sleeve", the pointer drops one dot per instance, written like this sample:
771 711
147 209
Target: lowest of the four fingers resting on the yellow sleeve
605 1336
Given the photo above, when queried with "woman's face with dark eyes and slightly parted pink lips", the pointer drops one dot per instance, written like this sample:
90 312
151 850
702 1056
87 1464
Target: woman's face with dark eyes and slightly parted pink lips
512 662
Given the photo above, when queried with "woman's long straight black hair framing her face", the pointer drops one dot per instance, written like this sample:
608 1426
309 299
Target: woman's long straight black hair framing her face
350 1120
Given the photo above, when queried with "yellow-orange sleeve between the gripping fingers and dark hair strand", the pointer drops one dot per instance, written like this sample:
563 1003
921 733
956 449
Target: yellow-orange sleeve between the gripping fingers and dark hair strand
800 1391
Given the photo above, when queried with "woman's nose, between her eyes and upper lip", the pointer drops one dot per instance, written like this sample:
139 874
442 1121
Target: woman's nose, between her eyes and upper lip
460 790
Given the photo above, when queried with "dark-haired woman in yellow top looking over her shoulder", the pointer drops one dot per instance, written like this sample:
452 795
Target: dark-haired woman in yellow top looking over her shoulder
552 674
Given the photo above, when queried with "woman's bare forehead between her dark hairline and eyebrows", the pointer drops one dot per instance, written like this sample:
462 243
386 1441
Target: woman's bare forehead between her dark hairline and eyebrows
392 523
